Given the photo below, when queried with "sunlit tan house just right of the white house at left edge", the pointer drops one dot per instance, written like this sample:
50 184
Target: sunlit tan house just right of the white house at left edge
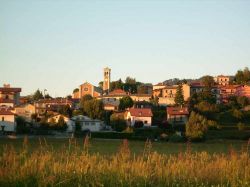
25 110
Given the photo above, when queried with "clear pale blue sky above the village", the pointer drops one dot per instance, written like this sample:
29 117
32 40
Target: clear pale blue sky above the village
59 44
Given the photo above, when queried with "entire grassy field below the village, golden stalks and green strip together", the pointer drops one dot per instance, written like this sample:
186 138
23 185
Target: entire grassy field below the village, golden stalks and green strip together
96 162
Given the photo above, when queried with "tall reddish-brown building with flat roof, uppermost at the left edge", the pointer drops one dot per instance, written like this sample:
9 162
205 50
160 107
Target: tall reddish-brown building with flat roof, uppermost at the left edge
9 96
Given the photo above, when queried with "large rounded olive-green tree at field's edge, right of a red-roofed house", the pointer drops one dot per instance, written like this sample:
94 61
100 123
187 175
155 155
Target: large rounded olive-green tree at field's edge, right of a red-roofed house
196 126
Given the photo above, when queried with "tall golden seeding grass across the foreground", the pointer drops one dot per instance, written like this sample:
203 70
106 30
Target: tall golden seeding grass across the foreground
74 166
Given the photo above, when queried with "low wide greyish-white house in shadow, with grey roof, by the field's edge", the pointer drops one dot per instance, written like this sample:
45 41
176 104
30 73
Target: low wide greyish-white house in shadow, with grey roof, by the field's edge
86 123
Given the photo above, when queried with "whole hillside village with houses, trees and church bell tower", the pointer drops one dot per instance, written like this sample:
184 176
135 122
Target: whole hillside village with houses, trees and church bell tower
174 109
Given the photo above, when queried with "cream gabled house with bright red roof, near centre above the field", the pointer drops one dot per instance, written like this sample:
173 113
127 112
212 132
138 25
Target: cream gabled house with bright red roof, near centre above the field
144 115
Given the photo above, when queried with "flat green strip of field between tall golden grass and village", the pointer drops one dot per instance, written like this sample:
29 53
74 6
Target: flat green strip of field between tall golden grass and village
107 147
